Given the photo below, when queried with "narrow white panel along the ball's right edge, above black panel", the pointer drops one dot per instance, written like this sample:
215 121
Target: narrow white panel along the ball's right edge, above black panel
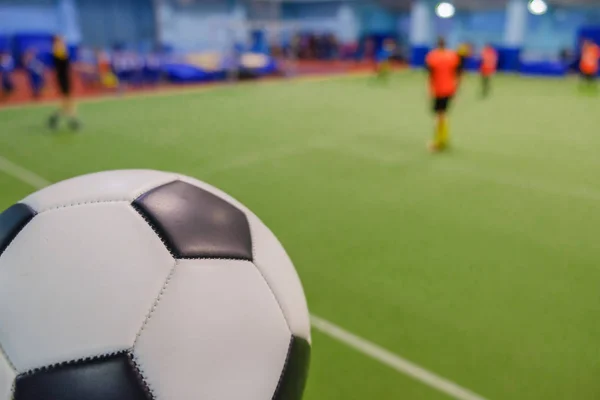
277 268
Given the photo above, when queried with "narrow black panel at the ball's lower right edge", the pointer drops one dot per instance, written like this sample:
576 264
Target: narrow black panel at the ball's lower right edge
295 373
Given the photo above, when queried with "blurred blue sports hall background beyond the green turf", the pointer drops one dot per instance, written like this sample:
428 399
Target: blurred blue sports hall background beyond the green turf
121 44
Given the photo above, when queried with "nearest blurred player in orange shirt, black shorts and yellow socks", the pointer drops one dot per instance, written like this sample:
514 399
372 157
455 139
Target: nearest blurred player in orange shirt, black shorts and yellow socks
444 68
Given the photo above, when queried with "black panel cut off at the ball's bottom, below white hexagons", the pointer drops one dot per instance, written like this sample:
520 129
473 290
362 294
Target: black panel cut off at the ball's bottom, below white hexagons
105 378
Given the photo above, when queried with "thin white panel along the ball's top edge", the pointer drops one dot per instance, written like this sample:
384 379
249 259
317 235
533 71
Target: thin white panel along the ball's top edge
98 187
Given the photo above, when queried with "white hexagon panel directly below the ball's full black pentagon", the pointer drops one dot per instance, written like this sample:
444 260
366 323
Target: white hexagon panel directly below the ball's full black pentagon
217 333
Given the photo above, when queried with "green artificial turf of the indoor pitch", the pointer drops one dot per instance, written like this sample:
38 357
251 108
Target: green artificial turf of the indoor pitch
481 265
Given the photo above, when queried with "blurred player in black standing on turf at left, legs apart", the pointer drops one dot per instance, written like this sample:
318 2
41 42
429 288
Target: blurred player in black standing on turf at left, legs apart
62 69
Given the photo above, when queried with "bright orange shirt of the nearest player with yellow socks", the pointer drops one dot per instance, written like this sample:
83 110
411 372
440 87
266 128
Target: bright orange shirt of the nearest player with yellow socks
443 66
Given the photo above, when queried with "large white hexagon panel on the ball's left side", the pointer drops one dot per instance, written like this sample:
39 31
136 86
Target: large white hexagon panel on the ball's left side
84 290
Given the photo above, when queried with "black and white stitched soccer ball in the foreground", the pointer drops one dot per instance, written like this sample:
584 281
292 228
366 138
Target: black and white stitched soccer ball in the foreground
143 285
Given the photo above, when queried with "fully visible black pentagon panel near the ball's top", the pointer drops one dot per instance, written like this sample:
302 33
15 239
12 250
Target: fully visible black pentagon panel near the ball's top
195 223
